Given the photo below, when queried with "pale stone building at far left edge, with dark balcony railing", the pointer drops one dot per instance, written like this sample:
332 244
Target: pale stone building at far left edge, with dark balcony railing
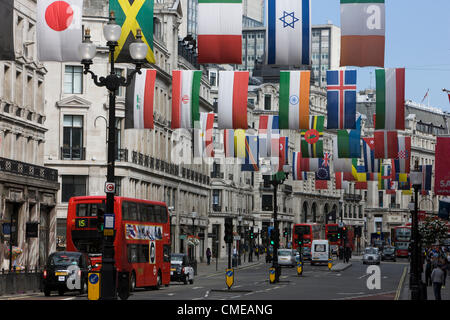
28 190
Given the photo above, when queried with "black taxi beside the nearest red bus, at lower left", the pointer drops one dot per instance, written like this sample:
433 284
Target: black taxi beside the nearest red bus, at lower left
65 271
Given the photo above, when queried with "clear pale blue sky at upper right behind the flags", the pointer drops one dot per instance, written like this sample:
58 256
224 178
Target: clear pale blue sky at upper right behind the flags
417 39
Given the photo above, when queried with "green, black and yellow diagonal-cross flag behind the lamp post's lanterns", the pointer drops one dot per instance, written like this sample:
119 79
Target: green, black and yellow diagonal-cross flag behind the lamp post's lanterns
132 15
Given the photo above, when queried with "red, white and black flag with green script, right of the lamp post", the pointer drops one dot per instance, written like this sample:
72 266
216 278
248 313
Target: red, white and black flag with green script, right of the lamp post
139 100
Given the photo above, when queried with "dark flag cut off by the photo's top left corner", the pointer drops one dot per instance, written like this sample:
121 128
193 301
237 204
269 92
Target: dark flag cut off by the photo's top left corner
7 27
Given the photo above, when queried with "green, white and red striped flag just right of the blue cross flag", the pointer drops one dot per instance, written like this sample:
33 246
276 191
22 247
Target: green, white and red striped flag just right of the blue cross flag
390 104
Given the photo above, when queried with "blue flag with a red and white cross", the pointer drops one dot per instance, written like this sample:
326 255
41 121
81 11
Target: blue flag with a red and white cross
341 99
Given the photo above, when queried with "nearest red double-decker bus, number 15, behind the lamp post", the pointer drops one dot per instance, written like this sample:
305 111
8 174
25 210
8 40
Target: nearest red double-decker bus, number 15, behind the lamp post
142 236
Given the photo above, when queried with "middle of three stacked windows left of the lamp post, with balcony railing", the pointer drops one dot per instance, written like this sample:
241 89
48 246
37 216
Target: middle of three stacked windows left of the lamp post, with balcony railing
73 138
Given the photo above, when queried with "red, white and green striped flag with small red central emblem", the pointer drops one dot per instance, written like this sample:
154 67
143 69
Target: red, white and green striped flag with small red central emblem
185 98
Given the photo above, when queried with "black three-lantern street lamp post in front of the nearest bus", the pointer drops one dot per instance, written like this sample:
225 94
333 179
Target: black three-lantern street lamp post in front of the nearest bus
87 50
